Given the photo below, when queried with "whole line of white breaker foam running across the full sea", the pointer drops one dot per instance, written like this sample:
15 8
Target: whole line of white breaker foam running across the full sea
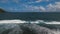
21 21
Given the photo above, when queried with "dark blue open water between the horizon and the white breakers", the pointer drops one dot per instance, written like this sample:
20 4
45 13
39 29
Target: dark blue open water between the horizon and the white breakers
50 16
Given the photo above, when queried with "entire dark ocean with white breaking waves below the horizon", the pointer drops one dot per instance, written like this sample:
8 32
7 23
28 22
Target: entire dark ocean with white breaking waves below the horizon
41 23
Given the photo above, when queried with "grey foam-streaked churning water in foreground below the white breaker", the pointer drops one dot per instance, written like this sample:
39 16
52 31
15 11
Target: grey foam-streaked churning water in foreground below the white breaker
23 29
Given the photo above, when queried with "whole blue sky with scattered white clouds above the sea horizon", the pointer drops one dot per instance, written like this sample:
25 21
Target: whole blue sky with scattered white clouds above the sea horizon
30 5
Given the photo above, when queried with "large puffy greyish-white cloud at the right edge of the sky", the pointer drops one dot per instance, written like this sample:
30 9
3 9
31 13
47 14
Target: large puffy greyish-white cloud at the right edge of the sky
53 7
